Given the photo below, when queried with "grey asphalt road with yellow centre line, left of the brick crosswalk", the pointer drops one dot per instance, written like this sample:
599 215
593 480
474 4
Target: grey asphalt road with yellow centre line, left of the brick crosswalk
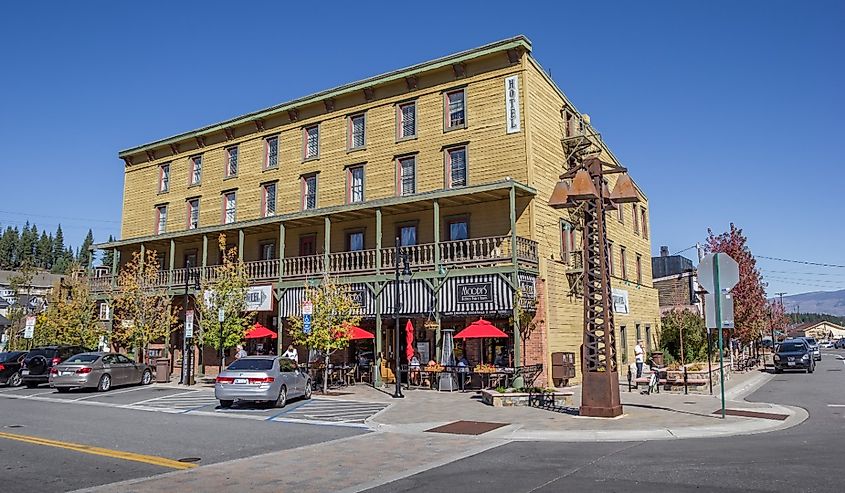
136 443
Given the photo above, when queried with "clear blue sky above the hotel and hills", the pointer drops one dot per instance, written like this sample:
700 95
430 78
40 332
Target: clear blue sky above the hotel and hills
724 111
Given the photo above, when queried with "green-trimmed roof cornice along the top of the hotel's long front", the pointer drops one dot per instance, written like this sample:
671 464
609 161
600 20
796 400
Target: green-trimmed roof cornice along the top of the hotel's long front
505 44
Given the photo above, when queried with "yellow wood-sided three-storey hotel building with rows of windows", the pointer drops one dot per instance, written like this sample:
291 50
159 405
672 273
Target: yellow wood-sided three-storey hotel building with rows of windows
455 159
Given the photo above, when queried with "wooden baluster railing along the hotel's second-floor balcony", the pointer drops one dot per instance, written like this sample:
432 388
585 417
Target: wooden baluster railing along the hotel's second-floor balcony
474 252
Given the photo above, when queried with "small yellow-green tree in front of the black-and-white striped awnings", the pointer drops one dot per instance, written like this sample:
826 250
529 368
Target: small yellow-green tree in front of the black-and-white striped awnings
334 312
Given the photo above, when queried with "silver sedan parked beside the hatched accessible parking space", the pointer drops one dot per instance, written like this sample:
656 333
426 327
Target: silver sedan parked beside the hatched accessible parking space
261 379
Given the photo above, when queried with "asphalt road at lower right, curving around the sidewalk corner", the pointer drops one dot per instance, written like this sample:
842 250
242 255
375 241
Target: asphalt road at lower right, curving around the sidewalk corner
807 457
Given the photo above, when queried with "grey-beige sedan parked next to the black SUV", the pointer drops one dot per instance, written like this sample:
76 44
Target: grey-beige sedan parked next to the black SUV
101 371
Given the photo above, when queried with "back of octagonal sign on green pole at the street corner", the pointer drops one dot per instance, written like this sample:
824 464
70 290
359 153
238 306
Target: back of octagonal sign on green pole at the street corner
718 273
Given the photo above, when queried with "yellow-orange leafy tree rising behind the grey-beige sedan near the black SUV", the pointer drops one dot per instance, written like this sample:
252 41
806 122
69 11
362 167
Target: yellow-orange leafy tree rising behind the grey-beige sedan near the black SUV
142 310
